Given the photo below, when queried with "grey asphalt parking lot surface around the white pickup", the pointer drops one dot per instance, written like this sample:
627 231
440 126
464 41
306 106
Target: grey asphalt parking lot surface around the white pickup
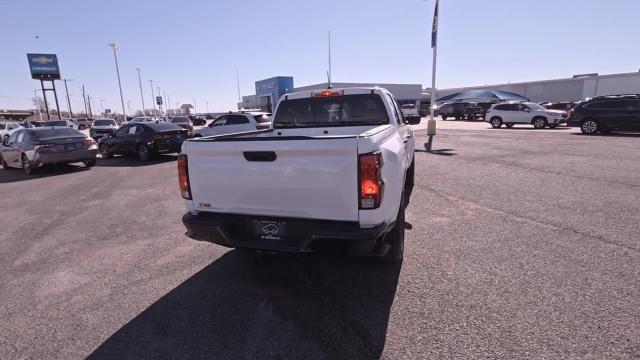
521 244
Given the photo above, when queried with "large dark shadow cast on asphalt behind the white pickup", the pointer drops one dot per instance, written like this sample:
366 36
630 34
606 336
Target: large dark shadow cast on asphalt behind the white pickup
244 306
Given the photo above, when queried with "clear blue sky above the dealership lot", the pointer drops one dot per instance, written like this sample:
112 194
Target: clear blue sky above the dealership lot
192 48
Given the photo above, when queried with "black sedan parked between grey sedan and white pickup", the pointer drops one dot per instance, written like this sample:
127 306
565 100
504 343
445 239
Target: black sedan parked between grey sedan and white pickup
143 139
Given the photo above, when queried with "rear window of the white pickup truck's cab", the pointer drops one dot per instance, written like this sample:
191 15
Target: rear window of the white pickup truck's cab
344 110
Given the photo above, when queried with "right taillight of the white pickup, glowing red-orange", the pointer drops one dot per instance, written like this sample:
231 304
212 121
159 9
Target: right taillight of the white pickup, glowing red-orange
371 184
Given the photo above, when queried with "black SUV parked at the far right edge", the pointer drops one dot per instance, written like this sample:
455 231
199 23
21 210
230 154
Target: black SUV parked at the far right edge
607 113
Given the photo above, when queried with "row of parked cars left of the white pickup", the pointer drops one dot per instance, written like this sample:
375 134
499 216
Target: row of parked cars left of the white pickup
57 142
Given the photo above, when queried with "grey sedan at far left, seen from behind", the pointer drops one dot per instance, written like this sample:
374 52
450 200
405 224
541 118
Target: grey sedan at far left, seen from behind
31 149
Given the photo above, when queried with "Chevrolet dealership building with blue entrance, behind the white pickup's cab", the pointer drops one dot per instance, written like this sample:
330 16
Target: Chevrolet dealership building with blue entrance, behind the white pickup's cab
269 91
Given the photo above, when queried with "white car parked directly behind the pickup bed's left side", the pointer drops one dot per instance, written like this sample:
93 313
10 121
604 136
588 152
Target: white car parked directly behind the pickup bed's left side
236 122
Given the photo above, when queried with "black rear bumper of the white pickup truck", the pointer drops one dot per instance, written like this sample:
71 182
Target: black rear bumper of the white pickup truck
302 236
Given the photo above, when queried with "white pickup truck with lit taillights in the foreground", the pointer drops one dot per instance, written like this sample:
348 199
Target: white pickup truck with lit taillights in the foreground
335 169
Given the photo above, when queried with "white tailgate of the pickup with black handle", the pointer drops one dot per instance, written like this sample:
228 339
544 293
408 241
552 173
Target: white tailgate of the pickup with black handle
314 178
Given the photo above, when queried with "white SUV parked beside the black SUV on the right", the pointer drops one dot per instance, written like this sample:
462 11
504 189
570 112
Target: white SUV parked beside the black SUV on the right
512 113
